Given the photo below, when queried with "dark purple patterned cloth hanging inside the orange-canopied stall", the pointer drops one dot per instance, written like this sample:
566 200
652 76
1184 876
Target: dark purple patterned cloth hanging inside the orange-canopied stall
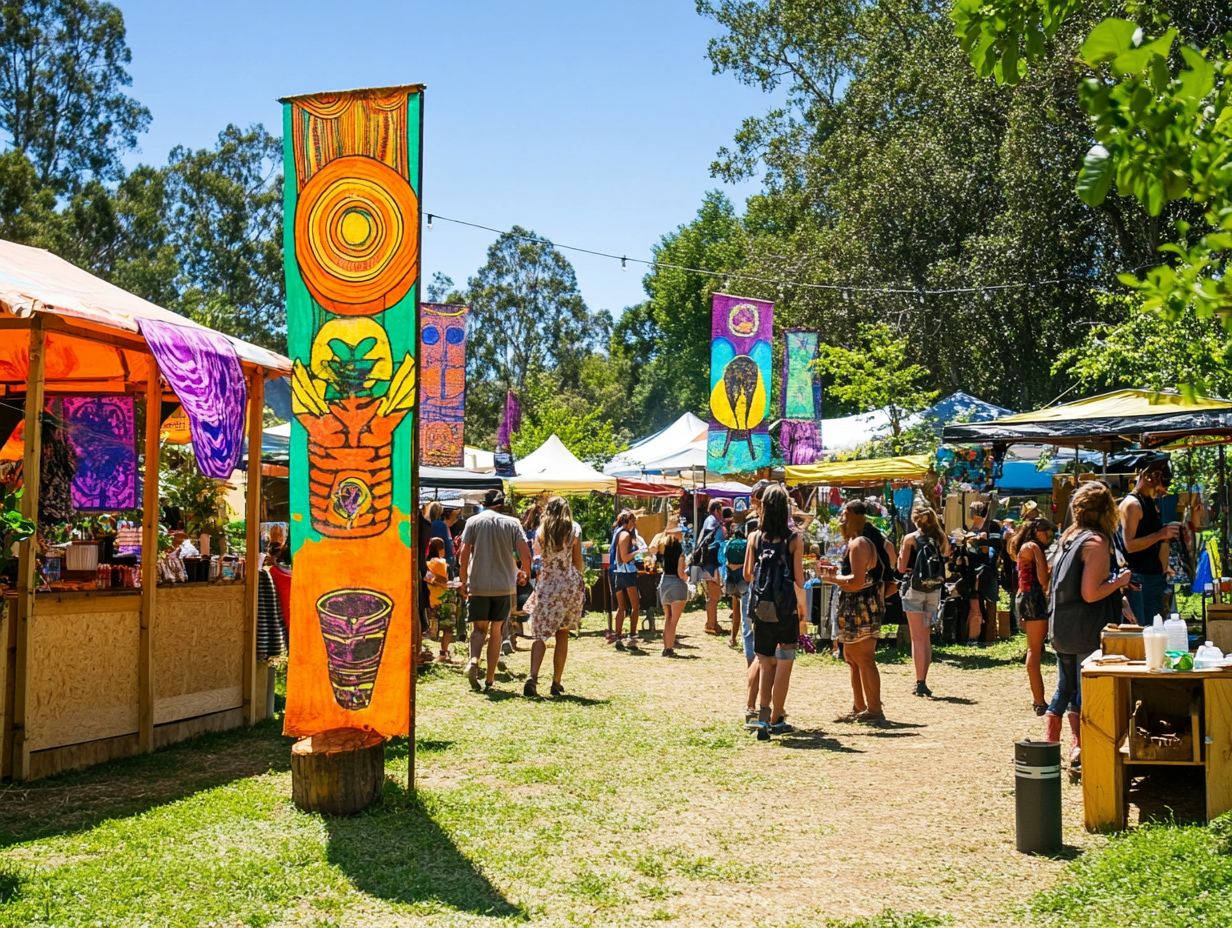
103 432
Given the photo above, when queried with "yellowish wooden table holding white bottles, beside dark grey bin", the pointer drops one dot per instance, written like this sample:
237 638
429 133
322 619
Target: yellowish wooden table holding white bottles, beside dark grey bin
1106 718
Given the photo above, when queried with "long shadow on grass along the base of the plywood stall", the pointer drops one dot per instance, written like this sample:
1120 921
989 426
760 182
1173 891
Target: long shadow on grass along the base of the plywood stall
78 800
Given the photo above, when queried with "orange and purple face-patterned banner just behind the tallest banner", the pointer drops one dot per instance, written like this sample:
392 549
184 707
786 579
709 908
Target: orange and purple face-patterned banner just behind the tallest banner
443 375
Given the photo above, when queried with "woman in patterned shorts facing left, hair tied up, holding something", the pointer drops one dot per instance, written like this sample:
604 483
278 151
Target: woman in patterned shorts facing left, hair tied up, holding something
861 611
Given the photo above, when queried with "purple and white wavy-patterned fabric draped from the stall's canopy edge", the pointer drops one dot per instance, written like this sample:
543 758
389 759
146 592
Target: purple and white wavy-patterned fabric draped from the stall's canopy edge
204 370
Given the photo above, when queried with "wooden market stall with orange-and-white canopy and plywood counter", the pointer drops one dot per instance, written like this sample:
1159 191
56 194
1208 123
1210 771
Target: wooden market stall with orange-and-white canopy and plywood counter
97 675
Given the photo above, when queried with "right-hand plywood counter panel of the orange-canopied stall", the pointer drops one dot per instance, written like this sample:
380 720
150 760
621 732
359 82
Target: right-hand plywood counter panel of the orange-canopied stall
198 644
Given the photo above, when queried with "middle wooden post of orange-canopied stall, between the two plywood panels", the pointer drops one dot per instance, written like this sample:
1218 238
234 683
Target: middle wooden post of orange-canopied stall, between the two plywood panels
150 559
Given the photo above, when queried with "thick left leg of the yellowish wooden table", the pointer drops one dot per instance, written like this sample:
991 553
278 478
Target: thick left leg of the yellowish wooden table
1104 718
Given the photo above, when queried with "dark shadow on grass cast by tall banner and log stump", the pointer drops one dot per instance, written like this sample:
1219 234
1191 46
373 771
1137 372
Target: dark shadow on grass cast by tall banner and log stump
400 853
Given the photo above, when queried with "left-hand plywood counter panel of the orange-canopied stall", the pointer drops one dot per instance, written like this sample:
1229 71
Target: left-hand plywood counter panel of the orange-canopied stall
83 677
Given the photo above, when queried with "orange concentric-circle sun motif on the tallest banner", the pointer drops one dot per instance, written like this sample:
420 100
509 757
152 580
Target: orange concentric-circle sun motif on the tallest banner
358 236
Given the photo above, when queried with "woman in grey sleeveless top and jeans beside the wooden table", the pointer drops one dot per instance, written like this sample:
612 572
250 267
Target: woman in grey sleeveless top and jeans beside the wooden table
1086 597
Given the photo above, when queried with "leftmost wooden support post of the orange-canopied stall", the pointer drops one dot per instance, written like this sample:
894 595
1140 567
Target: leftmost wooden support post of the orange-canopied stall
33 465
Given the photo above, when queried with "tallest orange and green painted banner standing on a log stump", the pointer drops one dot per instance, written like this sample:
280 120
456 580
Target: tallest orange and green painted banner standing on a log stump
352 251
